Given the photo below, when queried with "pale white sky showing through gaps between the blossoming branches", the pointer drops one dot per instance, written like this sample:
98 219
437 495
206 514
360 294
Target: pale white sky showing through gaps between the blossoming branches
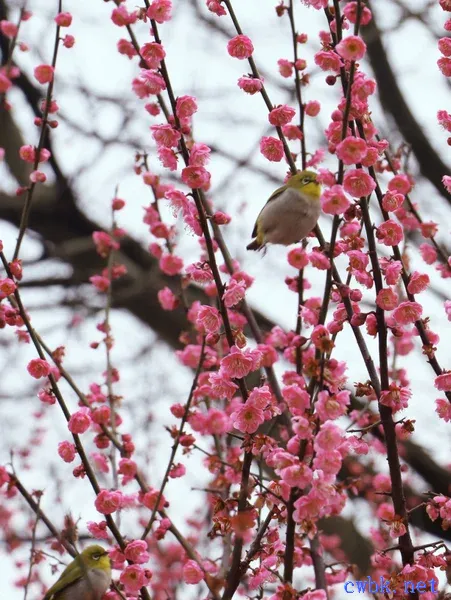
198 64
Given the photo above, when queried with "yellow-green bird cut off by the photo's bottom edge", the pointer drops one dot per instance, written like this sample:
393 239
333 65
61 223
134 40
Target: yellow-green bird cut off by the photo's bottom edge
87 577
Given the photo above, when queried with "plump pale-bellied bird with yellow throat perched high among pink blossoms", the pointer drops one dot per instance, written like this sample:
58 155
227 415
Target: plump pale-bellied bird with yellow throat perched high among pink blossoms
290 214
